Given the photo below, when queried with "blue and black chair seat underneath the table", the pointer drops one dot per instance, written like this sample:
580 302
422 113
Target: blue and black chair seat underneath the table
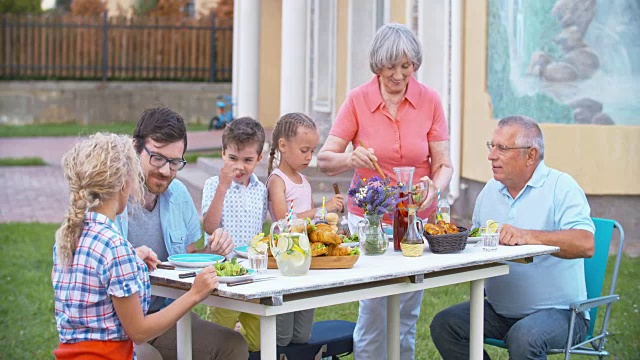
329 339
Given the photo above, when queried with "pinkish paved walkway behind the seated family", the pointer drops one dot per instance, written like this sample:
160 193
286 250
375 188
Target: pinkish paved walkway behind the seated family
40 194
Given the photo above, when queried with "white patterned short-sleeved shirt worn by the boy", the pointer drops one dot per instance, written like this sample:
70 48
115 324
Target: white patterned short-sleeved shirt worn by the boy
244 209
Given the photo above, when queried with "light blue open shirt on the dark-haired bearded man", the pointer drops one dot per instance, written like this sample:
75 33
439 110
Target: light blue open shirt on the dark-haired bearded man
178 217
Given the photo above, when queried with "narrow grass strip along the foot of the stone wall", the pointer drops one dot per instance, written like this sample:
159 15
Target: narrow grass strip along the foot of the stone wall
73 129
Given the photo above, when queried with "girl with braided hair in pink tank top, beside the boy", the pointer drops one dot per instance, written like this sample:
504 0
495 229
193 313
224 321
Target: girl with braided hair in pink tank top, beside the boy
294 141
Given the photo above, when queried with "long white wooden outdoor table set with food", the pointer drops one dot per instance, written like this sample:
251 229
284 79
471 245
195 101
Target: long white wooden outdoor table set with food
387 275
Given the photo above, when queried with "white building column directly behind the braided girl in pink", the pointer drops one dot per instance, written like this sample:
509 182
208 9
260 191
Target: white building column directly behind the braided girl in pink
294 49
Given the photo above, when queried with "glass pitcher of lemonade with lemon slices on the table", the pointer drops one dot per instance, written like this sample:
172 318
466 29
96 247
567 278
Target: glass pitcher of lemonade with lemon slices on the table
290 247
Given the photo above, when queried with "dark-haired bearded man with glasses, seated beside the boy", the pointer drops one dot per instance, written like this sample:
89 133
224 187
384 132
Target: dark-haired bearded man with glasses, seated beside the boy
168 223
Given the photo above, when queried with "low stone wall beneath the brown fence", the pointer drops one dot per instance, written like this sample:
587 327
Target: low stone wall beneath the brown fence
94 102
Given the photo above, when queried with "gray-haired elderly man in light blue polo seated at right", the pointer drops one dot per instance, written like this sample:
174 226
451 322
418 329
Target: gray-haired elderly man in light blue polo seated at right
528 308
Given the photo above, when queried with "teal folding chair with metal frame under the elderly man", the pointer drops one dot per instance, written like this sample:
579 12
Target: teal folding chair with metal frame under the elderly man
594 271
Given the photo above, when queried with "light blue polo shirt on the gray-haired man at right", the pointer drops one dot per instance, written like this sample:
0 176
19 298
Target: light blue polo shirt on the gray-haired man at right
550 201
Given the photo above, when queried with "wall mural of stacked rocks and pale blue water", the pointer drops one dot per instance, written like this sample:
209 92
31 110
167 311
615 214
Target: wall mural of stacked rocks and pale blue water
565 61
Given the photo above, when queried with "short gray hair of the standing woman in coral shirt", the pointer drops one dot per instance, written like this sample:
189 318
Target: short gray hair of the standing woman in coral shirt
392 41
